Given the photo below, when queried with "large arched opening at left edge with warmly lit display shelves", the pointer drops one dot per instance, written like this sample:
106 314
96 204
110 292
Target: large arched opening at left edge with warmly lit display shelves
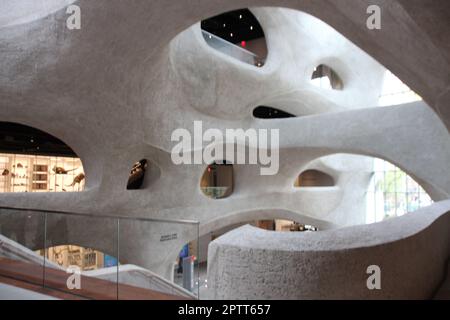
34 161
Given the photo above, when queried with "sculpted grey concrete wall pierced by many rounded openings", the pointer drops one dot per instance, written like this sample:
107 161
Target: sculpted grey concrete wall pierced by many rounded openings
115 90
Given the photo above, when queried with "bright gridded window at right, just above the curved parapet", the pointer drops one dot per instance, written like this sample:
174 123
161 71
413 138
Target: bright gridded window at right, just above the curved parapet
392 193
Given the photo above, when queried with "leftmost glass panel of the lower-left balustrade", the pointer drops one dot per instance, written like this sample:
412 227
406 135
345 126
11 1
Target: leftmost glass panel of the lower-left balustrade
21 232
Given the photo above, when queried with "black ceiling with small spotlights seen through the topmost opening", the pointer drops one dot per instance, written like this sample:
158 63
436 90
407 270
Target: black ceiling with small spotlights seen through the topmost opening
234 26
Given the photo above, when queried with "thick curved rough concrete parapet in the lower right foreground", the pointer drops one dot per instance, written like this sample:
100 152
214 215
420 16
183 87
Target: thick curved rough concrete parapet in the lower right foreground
411 252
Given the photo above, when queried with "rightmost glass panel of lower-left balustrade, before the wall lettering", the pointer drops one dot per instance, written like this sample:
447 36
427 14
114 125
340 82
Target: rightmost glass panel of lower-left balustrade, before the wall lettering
168 269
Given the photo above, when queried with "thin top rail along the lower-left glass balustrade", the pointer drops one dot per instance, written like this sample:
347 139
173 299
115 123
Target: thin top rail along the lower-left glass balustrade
90 215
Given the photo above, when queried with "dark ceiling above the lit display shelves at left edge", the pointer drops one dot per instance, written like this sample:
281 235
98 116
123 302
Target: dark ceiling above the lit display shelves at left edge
22 139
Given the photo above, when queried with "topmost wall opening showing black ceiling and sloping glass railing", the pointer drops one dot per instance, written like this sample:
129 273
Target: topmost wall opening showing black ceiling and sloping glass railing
237 34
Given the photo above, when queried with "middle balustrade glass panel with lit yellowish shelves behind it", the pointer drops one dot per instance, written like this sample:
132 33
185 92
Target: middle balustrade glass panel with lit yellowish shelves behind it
76 247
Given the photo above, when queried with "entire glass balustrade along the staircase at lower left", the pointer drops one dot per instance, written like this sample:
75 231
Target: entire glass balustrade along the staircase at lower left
98 256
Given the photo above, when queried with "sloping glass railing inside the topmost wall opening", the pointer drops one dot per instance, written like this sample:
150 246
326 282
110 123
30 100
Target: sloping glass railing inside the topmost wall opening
232 50
